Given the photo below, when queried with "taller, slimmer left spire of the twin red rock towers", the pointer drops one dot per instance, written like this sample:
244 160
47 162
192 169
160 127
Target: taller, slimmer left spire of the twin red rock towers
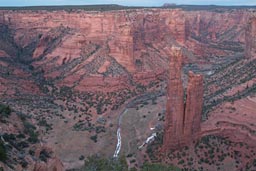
175 102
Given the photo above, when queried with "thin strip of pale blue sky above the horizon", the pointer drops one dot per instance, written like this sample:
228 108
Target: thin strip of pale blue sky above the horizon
124 2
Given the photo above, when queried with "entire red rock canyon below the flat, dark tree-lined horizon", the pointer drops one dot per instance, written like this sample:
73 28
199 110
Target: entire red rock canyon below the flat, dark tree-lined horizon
68 73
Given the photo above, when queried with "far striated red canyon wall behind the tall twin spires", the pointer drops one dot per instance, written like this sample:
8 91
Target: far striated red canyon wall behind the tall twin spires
73 47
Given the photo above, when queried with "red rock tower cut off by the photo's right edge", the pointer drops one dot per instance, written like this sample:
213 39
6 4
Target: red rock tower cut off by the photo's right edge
250 39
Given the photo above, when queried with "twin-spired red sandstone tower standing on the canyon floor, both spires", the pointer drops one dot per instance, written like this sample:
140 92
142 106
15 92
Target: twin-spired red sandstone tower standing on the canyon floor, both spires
182 120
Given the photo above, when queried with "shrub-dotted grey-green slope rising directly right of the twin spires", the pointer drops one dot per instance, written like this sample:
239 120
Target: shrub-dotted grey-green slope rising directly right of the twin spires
224 79
